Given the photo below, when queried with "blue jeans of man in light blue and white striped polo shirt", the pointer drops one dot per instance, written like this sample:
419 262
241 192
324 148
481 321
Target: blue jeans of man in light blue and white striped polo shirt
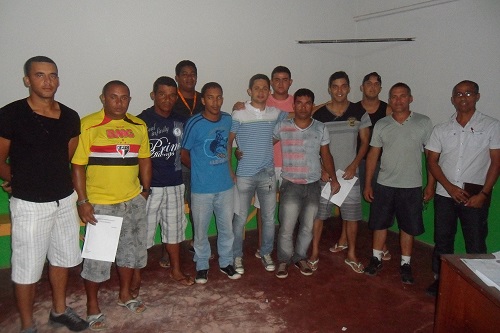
264 183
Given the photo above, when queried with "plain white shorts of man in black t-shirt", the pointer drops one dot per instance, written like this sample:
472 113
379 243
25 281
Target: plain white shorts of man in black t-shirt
43 230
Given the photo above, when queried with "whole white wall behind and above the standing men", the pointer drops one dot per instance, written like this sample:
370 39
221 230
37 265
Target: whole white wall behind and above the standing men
96 41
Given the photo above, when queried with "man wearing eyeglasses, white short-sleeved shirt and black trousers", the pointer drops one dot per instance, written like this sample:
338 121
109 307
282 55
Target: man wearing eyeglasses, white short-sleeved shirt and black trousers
464 157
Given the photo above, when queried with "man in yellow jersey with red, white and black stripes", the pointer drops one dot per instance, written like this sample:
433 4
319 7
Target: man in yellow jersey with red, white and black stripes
110 164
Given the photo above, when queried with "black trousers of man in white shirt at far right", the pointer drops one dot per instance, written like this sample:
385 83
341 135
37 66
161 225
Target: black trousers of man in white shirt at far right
474 222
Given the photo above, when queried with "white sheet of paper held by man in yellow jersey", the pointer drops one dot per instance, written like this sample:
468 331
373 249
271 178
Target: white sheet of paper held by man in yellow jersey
101 239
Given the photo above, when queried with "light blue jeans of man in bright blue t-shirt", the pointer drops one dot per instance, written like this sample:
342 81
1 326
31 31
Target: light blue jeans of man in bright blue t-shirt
203 206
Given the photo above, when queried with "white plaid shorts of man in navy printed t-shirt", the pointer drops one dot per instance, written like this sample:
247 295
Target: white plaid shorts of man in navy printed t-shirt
166 207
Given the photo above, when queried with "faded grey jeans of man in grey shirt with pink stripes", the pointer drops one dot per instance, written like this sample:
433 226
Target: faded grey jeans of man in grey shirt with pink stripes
297 202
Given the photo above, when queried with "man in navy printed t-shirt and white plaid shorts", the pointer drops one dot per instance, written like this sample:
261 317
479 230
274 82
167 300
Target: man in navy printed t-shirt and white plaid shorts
166 202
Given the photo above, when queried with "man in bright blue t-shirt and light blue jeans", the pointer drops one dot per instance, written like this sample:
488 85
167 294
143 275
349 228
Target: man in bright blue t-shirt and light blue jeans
205 150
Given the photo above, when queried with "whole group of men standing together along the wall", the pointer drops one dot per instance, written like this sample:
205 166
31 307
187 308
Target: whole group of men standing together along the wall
142 168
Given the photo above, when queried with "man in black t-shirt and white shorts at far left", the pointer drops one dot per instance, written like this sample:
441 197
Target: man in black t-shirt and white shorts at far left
39 136
